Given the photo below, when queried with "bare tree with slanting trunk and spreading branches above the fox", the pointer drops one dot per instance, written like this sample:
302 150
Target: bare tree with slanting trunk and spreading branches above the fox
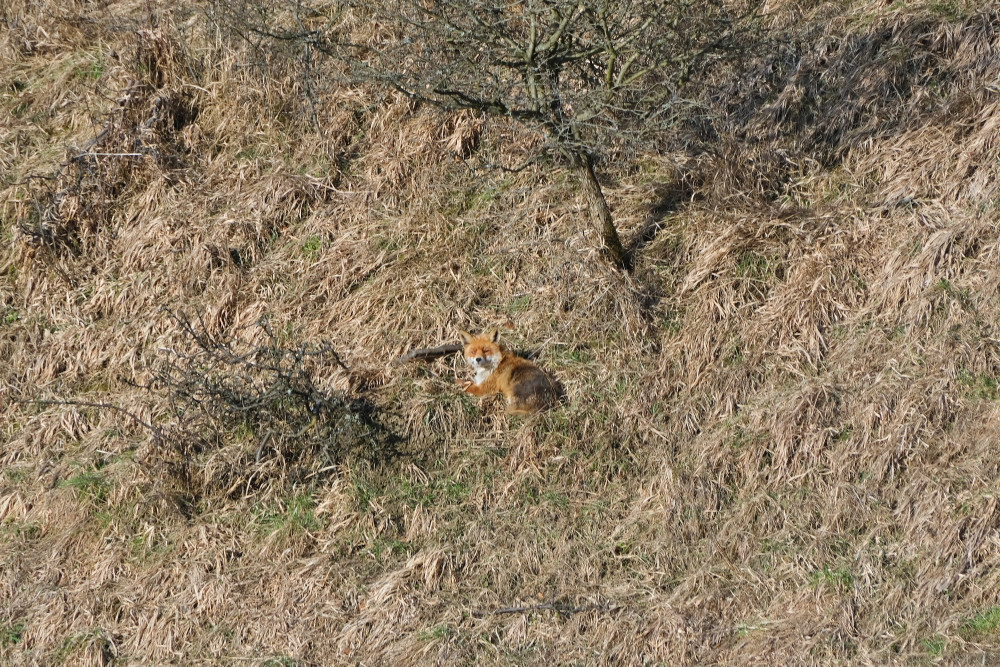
589 74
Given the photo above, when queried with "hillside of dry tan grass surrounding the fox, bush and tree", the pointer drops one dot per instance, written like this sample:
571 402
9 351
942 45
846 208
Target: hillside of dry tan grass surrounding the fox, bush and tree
779 443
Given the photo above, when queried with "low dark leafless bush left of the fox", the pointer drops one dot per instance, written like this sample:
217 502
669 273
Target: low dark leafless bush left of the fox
245 414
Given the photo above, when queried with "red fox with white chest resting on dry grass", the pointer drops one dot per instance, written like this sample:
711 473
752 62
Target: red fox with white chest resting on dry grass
526 387
